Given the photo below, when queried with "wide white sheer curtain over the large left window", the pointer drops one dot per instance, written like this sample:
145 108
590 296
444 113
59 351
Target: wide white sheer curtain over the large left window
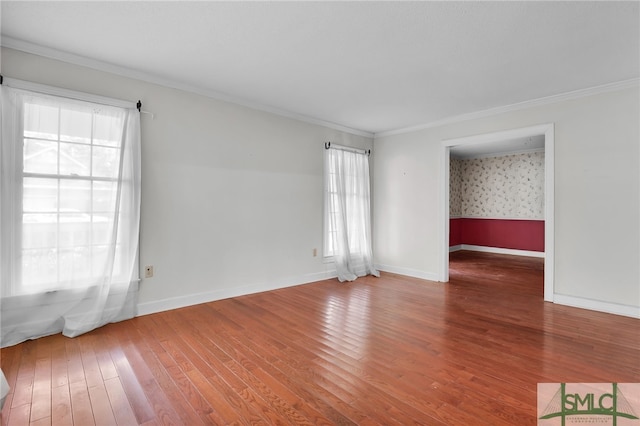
69 214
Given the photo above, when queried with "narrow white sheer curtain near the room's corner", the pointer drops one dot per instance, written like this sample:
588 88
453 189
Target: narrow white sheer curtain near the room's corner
348 213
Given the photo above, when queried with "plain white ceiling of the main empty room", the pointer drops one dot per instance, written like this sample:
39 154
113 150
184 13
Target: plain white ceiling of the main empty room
370 66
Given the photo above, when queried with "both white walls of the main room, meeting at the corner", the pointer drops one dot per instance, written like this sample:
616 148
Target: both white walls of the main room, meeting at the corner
232 197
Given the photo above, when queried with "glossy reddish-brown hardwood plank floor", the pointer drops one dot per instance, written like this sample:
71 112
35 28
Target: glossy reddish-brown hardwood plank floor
389 350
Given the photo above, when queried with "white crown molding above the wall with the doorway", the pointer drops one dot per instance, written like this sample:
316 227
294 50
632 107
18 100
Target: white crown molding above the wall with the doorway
576 94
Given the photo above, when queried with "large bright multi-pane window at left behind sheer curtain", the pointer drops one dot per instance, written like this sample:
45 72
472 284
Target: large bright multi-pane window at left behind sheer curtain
66 194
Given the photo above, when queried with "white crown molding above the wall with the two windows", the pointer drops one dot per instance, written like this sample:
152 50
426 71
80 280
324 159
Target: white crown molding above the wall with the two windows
63 56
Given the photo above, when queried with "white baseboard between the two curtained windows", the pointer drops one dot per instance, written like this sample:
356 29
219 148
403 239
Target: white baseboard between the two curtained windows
211 296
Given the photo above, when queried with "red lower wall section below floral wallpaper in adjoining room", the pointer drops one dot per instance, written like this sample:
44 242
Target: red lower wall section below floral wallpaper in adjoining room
503 233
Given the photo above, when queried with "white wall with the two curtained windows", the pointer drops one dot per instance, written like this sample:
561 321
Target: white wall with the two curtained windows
231 198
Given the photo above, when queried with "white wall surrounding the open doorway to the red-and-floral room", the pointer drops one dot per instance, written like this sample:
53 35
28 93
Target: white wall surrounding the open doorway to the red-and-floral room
597 189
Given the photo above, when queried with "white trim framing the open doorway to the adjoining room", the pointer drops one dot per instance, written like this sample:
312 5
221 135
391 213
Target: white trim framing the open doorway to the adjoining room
543 129
